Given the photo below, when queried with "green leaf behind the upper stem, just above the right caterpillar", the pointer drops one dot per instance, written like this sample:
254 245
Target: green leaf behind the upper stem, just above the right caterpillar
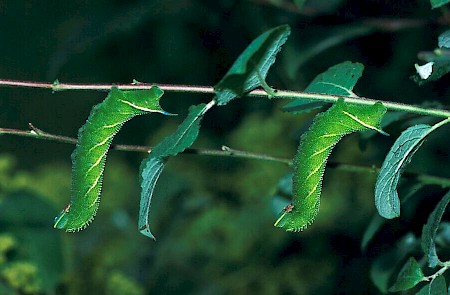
337 80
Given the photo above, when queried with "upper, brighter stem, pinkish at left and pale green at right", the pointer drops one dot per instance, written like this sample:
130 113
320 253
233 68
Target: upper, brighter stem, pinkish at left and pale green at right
392 106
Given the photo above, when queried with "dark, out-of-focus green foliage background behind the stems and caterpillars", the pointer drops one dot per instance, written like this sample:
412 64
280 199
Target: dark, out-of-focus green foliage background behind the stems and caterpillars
212 216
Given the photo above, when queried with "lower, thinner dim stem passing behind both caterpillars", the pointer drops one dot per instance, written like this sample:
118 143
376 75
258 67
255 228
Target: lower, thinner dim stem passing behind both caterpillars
225 151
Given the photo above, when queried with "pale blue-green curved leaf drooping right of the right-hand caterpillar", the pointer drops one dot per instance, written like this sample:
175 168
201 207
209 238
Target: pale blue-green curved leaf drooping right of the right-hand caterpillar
401 153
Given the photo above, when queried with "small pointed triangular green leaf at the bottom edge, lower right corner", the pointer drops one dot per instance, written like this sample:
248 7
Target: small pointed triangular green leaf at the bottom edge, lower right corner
410 275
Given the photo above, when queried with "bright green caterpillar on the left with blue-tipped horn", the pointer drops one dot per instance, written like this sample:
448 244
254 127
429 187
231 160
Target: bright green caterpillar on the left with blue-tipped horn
89 156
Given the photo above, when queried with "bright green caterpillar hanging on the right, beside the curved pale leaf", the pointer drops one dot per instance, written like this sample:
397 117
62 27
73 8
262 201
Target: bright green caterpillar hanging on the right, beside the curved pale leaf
315 147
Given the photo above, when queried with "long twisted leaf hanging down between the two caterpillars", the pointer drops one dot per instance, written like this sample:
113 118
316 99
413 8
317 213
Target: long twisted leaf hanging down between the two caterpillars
152 166
